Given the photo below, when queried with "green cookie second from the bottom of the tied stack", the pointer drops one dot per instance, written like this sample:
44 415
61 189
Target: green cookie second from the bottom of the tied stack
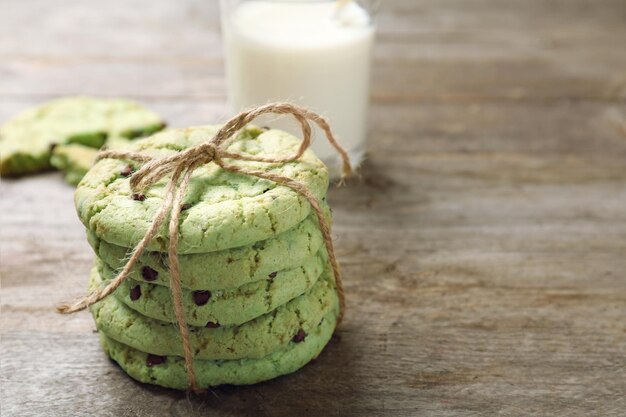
254 339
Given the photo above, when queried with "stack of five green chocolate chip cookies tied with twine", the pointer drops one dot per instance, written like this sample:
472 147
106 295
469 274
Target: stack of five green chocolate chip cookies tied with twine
258 293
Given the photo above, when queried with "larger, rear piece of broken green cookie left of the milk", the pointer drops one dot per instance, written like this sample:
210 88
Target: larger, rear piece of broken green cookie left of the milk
26 141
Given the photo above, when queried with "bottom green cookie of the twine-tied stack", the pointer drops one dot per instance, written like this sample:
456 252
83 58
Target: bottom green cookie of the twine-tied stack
169 371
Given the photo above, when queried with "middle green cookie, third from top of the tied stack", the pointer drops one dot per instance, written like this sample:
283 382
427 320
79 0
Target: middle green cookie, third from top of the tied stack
227 307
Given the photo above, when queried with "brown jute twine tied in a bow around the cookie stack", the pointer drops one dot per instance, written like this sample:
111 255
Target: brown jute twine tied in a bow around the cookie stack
181 166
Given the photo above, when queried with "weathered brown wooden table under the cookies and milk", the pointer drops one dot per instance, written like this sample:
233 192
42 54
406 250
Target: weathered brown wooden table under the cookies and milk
484 246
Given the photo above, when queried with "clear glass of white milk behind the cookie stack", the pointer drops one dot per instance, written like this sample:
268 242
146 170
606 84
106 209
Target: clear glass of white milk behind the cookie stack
316 53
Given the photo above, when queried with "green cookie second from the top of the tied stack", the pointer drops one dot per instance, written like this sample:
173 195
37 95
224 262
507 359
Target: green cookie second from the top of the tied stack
230 268
